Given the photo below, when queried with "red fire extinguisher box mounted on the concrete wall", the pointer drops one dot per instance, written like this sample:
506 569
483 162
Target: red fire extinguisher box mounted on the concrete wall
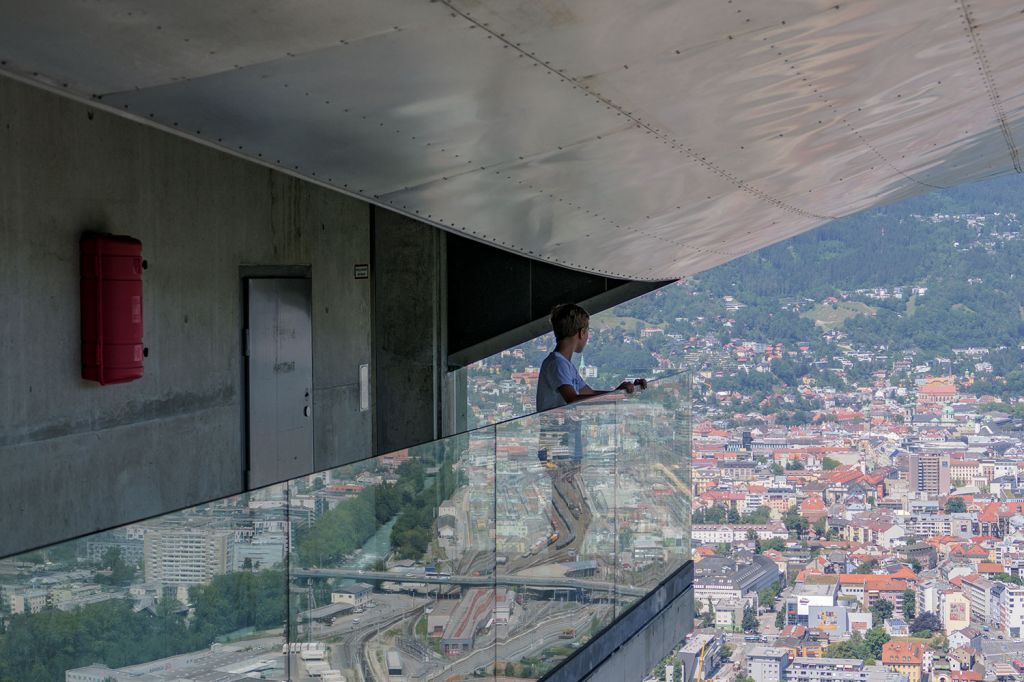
112 309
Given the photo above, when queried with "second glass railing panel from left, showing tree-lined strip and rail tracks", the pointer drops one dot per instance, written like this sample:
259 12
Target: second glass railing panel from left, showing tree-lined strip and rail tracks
394 564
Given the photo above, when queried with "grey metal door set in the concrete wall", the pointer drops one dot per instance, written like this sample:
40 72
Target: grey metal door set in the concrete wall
279 346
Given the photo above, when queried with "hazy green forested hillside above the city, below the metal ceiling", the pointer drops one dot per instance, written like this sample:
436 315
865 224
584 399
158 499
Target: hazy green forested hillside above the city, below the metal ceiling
963 245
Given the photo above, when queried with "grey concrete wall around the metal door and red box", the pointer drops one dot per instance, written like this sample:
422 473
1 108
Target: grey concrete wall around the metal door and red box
76 457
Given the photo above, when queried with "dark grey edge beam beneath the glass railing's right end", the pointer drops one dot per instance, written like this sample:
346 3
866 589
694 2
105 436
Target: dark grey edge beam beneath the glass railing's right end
634 644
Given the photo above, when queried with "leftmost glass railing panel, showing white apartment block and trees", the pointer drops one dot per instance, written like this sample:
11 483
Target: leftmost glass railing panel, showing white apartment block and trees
189 593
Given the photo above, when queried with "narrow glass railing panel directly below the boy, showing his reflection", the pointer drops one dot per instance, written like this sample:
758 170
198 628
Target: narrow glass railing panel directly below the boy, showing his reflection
556 533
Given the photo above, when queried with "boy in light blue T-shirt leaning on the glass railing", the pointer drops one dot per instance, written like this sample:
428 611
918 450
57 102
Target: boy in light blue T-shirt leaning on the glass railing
561 383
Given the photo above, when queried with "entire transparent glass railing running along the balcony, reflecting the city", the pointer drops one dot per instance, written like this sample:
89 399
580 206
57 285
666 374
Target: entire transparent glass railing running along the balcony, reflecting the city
498 552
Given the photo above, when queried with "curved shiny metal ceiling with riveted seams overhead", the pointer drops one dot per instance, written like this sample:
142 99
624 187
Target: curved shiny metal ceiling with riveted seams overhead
647 141
